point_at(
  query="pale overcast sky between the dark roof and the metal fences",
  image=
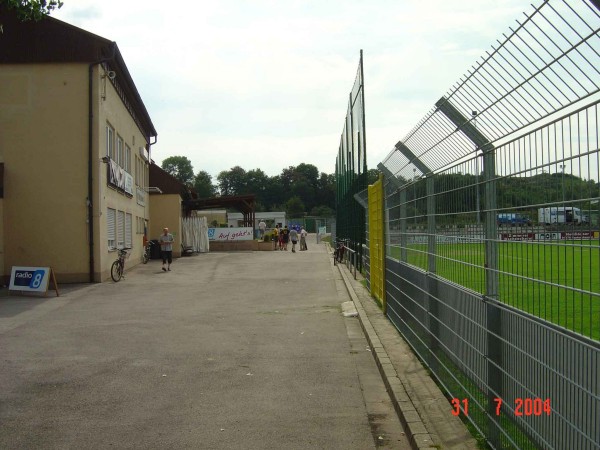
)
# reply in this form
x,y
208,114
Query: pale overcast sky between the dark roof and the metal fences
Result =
x,y
265,84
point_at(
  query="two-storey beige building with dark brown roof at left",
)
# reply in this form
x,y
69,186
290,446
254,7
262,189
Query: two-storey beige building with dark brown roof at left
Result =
x,y
75,142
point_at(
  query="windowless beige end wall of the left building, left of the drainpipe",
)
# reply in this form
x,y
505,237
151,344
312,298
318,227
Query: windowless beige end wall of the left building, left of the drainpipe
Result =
x,y
43,123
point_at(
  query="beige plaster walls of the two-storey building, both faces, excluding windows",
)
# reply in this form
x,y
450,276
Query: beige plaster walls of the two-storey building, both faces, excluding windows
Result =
x,y
44,147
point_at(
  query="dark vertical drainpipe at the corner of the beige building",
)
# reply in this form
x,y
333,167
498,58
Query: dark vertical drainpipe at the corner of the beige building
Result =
x,y
91,157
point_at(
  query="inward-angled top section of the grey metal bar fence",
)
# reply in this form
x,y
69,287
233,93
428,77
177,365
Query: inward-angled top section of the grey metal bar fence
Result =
x,y
547,64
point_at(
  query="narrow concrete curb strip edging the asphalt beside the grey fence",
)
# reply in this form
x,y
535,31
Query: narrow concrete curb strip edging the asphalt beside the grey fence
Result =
x,y
403,404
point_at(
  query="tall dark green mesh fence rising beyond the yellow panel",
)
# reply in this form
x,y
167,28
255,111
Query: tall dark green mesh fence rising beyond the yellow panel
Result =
x,y
351,169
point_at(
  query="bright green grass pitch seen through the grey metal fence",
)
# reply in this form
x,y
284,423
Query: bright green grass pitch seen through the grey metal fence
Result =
x,y
558,281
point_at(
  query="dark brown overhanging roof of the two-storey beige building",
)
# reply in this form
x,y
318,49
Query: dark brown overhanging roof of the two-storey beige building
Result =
x,y
53,41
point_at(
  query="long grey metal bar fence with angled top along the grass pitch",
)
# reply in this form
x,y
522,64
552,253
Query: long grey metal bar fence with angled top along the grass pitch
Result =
x,y
492,261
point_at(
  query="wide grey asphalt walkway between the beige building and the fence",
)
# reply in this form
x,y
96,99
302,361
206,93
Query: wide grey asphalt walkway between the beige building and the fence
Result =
x,y
245,350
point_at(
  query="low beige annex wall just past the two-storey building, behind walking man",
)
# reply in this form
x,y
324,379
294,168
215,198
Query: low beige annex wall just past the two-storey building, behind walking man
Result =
x,y
166,212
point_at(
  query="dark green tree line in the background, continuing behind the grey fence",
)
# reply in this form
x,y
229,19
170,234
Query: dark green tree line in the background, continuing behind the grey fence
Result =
x,y
303,190
